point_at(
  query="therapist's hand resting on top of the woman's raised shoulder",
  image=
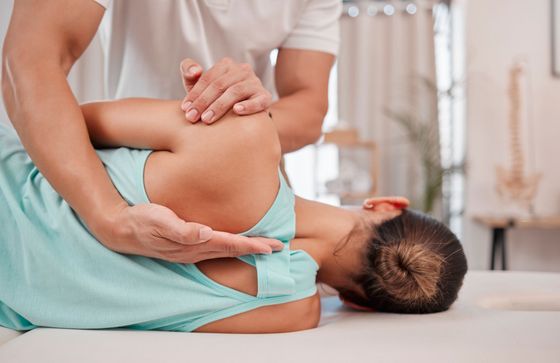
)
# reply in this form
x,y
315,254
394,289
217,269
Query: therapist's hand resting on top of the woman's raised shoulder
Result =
x,y
225,86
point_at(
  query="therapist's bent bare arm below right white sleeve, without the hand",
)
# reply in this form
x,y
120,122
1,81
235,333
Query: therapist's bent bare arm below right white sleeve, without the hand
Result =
x,y
302,80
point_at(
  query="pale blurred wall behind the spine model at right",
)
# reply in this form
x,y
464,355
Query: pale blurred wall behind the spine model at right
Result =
x,y
498,32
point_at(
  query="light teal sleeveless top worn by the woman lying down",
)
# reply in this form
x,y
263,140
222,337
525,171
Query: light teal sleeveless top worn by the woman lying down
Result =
x,y
54,273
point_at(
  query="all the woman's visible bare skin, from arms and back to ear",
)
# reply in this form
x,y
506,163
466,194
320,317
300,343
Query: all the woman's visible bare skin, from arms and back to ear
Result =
x,y
241,155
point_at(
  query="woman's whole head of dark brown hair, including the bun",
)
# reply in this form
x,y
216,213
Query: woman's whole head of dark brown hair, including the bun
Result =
x,y
413,264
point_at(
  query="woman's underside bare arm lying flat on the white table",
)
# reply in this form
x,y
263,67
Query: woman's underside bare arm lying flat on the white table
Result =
x,y
282,318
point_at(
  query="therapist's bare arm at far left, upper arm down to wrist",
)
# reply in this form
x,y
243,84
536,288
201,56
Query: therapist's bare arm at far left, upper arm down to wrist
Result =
x,y
43,41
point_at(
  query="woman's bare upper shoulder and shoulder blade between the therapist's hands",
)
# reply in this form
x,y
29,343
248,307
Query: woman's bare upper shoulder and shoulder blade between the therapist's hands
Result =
x,y
223,175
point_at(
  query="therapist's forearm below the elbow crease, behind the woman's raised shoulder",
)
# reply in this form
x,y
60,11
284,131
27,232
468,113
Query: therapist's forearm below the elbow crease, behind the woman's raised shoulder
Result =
x,y
298,118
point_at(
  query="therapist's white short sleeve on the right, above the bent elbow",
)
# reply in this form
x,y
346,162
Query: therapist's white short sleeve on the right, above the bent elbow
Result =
x,y
318,27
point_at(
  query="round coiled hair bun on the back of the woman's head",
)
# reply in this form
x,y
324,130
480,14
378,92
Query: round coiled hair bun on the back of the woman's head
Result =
x,y
409,271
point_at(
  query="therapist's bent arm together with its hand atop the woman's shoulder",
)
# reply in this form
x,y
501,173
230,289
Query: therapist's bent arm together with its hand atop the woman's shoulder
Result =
x,y
301,78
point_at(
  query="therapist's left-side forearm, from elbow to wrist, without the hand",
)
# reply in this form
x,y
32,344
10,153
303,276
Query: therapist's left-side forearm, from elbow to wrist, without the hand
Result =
x,y
50,124
